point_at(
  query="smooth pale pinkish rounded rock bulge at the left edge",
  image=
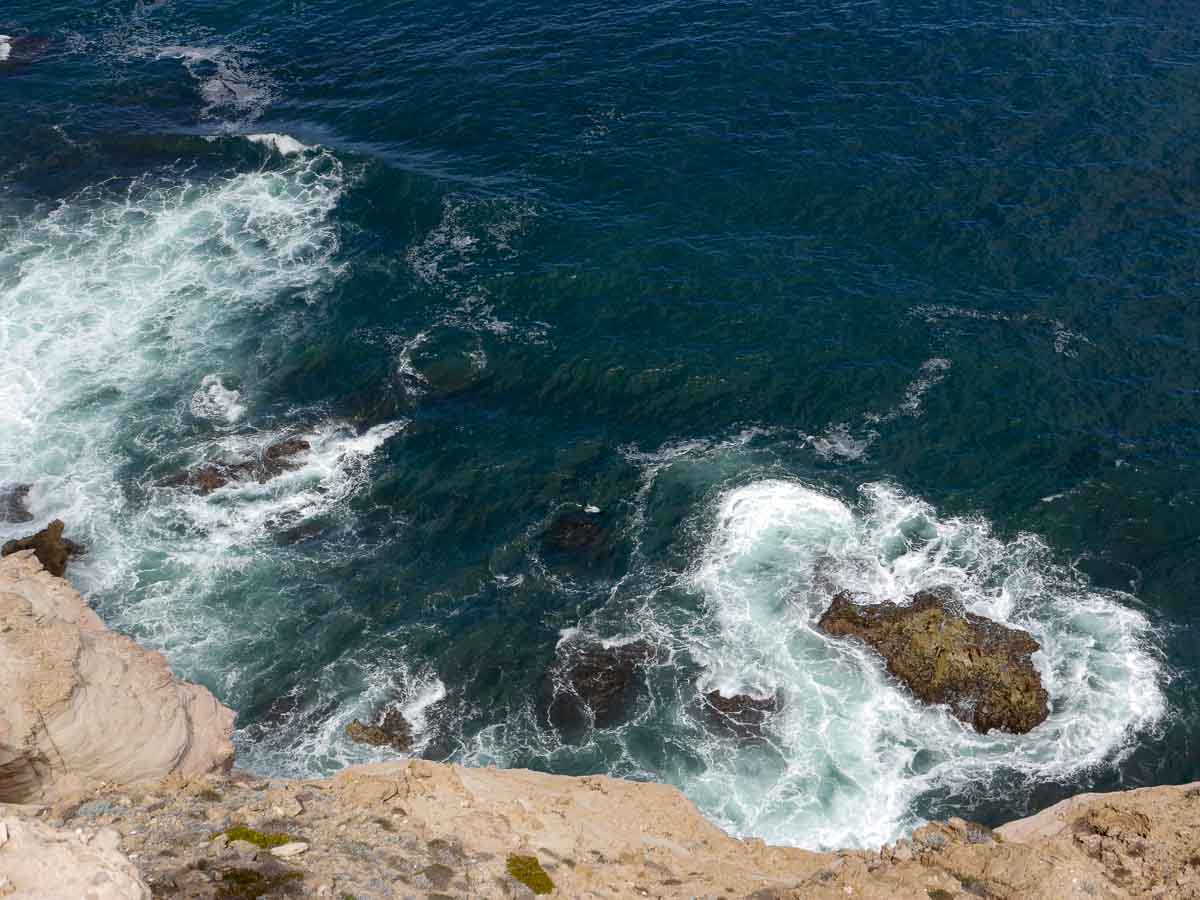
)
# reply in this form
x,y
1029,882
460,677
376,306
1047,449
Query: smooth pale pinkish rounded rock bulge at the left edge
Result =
x,y
85,706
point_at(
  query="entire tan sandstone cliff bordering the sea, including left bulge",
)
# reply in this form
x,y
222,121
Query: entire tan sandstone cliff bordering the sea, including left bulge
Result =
x,y
115,788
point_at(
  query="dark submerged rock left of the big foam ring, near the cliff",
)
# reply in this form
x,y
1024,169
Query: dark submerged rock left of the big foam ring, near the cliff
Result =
x,y
601,680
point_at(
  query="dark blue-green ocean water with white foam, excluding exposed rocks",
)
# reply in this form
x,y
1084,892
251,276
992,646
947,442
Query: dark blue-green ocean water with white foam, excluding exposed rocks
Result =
x,y
773,297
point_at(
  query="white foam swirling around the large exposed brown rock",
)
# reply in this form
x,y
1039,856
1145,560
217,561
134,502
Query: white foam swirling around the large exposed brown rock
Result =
x,y
850,752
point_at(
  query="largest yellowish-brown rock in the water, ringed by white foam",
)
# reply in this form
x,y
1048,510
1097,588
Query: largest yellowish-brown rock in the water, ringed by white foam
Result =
x,y
979,668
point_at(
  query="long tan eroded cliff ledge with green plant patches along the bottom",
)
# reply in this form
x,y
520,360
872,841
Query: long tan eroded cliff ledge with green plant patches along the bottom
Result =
x,y
422,830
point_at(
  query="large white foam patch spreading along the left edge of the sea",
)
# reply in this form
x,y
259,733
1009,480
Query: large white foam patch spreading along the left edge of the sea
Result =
x,y
121,307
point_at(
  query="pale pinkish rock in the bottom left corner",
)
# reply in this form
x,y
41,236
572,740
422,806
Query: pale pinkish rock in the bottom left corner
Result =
x,y
44,863
